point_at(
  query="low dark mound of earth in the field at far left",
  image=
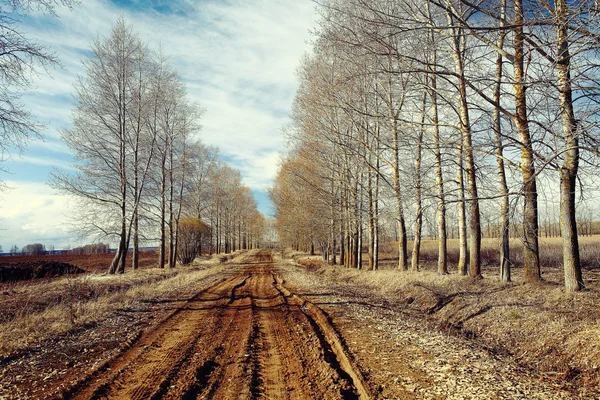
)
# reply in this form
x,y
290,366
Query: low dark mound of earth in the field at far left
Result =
x,y
23,271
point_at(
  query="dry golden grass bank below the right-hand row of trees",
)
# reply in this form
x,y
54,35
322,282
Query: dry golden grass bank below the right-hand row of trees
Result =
x,y
542,327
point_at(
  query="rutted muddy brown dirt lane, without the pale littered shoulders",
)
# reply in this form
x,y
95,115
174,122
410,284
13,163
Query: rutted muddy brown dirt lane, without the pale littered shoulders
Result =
x,y
247,337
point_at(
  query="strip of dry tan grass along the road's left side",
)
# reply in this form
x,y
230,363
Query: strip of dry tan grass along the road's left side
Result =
x,y
34,311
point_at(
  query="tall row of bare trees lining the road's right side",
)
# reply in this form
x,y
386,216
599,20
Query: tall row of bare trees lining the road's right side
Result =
x,y
420,107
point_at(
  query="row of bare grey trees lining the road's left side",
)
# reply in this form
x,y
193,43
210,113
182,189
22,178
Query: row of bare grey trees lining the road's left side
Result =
x,y
140,167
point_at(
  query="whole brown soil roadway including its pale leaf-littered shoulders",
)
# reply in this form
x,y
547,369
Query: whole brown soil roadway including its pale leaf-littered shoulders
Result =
x,y
270,329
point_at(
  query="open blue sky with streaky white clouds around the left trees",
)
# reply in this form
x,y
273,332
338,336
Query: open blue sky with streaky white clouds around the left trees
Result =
x,y
237,58
